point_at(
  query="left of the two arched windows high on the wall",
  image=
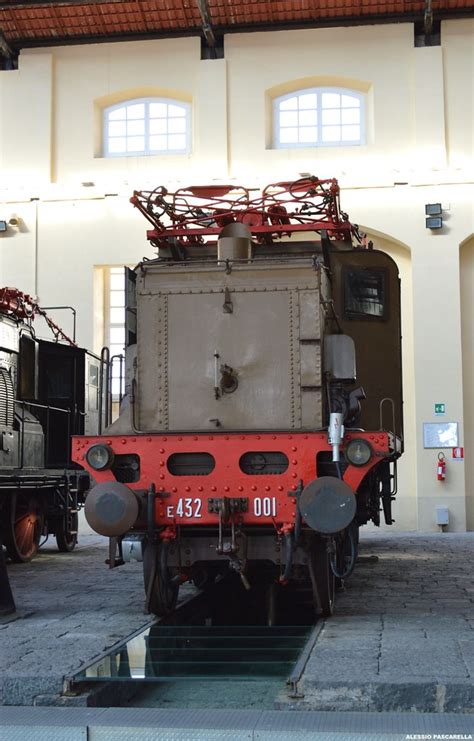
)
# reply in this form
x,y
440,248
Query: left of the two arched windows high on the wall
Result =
x,y
147,126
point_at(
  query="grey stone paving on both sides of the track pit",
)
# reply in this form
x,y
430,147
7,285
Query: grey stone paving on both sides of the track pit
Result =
x,y
402,637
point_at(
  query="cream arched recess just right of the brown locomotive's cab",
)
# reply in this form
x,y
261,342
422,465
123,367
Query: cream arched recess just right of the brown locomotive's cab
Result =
x,y
405,506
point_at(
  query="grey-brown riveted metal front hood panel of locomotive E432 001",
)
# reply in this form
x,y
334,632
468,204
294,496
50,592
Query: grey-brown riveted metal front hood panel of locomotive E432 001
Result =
x,y
263,321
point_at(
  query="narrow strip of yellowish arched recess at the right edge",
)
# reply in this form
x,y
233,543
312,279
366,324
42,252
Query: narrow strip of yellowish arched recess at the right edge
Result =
x,y
466,266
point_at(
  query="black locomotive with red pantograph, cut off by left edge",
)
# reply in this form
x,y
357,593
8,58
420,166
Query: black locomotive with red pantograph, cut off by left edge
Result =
x,y
49,390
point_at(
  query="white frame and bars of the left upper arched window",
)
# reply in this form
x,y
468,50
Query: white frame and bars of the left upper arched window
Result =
x,y
147,152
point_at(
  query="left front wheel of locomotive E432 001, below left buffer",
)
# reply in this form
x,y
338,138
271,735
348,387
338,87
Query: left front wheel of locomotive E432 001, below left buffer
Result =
x,y
161,593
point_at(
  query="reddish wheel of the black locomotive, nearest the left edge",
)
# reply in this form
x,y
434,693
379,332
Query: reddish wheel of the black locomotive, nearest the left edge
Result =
x,y
24,525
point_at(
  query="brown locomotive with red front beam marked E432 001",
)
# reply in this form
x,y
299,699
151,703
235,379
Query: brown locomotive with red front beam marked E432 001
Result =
x,y
262,419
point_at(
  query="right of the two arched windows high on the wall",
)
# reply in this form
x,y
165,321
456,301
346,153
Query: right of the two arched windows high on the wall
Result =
x,y
319,117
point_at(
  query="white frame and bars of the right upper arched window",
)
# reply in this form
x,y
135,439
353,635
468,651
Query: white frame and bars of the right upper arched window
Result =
x,y
318,91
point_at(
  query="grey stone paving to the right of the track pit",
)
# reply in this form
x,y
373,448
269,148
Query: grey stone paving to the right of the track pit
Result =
x,y
402,637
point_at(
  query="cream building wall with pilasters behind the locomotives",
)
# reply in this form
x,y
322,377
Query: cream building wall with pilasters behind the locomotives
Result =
x,y
73,212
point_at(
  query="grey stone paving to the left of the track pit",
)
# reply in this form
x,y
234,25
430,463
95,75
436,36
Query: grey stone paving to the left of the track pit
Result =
x,y
70,608
